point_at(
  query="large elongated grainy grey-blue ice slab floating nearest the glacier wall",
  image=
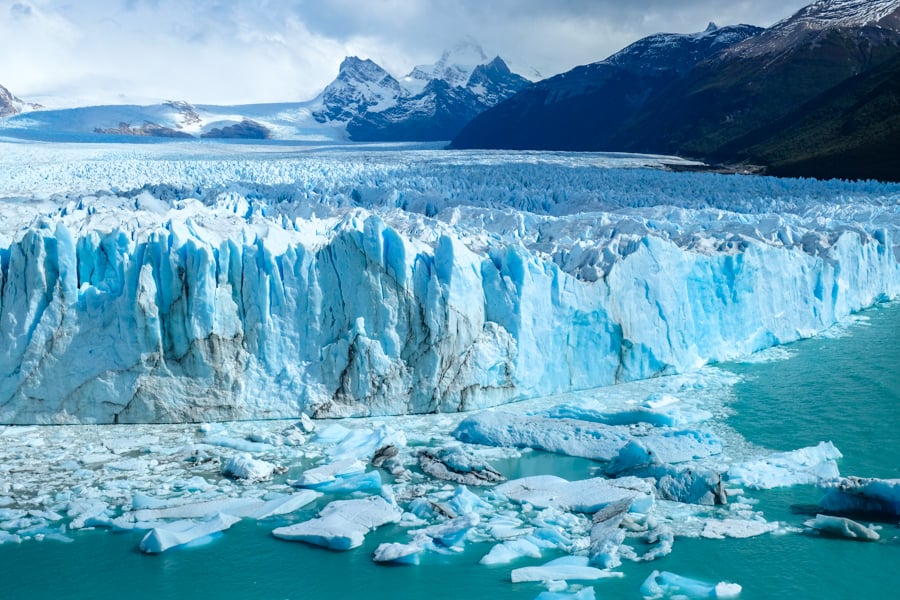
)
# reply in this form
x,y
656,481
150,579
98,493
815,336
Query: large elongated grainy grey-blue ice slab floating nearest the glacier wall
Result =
x,y
562,436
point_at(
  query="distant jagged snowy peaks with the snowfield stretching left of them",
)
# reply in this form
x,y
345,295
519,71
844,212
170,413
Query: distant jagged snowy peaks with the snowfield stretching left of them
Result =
x,y
363,103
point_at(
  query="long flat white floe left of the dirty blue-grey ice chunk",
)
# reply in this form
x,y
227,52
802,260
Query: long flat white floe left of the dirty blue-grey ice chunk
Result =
x,y
586,495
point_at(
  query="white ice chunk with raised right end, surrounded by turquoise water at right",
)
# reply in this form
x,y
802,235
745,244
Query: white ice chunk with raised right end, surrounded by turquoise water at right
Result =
x,y
809,465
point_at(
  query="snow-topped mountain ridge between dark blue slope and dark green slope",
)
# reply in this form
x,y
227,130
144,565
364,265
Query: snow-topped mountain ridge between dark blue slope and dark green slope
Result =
x,y
765,78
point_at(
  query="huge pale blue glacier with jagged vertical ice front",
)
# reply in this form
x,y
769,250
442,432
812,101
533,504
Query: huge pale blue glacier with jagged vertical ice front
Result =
x,y
190,283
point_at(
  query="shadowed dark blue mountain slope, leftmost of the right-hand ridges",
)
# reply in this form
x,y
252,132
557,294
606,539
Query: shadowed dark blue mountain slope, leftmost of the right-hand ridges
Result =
x,y
584,108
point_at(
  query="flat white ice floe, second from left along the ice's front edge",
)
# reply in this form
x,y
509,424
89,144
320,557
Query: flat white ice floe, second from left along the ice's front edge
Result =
x,y
343,524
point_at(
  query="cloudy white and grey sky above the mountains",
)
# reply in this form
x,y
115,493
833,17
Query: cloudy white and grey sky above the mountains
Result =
x,y
241,51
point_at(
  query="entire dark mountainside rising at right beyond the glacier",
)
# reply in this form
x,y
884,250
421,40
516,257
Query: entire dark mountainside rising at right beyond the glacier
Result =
x,y
747,97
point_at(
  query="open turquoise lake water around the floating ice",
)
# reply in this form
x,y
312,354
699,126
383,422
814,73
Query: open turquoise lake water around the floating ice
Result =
x,y
844,389
